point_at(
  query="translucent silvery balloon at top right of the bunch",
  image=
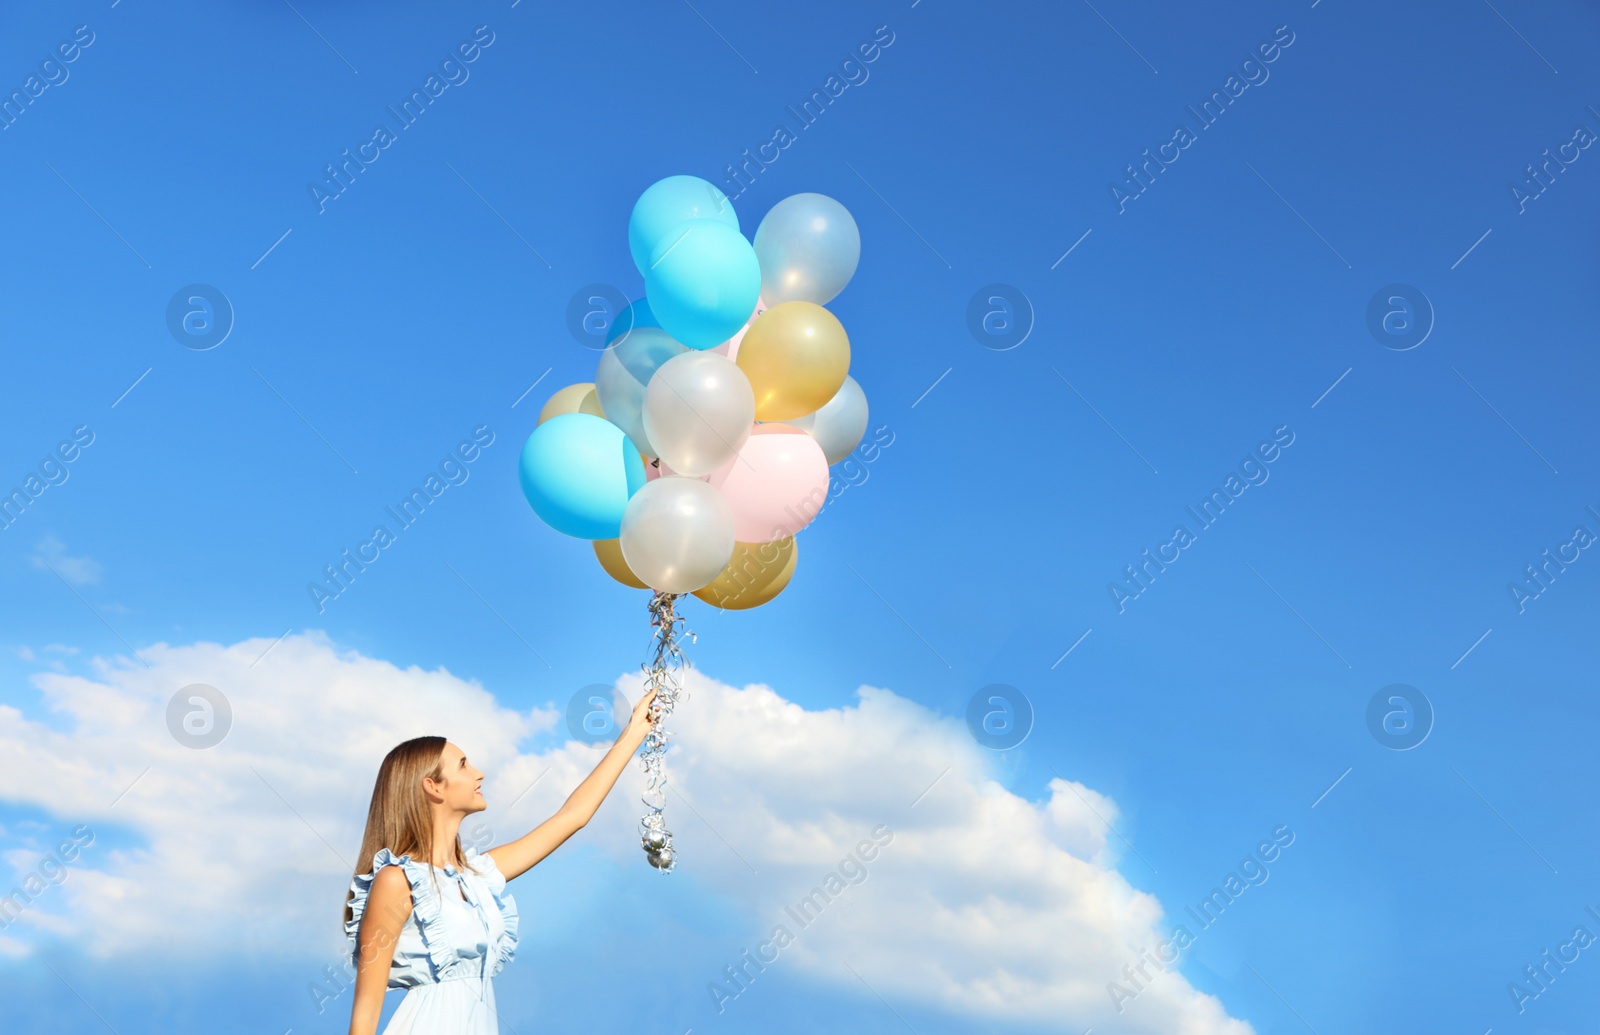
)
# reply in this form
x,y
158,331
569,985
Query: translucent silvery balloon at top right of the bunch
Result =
x,y
809,247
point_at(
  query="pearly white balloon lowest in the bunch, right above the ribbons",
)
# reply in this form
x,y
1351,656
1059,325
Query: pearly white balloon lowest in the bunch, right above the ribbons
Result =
x,y
678,533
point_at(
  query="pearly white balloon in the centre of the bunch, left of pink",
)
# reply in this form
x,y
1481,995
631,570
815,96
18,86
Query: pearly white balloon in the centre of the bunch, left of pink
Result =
x,y
698,412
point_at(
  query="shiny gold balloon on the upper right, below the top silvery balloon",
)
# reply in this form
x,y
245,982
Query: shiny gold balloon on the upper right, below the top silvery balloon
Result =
x,y
796,356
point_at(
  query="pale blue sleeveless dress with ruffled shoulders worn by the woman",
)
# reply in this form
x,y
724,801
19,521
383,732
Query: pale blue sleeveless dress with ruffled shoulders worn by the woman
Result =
x,y
462,932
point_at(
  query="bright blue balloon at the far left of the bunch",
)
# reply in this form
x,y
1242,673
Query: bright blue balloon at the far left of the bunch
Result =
x,y
578,473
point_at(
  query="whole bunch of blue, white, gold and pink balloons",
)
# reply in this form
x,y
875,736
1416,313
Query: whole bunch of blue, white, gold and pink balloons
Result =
x,y
703,444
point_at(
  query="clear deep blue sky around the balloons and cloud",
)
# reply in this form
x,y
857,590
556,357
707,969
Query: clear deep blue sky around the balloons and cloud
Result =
x,y
1172,334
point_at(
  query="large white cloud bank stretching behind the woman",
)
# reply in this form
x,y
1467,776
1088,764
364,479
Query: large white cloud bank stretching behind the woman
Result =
x,y
983,903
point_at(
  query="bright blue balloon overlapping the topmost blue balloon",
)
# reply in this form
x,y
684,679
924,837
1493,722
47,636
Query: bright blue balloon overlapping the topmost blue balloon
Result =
x,y
703,282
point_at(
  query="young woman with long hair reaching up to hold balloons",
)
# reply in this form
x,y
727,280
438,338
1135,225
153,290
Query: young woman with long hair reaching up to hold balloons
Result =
x,y
438,921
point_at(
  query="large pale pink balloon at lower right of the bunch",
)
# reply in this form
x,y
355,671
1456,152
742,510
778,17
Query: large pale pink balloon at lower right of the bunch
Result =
x,y
775,486
